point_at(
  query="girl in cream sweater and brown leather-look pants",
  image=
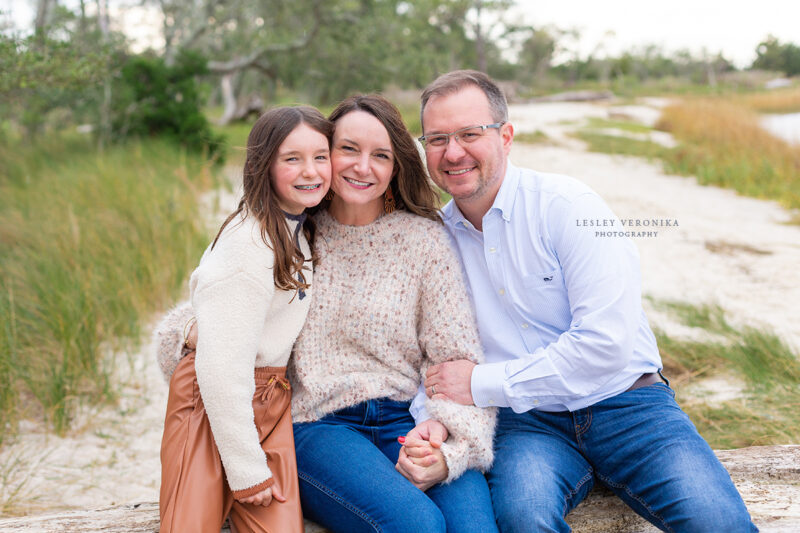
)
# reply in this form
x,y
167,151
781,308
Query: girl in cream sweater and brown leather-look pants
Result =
x,y
229,404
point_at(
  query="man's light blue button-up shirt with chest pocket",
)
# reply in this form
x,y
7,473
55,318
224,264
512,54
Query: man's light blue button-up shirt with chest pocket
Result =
x,y
557,296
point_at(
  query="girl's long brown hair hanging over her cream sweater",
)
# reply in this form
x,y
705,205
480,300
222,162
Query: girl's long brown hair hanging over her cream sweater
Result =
x,y
259,200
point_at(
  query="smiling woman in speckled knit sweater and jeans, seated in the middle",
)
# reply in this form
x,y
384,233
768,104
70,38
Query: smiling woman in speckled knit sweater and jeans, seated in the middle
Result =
x,y
388,303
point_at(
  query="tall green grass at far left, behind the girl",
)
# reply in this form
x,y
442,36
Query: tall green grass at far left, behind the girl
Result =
x,y
91,245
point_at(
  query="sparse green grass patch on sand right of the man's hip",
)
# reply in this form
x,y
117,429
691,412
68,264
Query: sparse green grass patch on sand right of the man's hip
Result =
x,y
767,411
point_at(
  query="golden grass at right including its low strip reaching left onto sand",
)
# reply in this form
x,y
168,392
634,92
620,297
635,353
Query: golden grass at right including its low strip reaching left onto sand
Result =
x,y
720,142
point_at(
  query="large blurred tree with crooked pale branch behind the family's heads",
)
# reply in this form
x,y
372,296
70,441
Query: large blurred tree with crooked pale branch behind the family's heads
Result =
x,y
324,50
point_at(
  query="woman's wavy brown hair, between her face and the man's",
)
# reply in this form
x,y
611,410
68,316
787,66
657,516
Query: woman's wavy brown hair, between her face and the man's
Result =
x,y
410,185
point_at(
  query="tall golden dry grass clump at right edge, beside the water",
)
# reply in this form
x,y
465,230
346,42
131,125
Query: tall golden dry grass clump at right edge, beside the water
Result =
x,y
722,143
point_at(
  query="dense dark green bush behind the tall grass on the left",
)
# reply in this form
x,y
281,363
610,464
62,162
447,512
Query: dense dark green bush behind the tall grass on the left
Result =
x,y
154,99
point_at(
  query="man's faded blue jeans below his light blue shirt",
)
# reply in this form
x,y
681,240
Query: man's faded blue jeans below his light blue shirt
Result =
x,y
639,443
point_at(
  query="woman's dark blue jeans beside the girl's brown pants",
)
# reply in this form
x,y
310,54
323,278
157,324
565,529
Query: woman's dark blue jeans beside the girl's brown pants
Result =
x,y
348,483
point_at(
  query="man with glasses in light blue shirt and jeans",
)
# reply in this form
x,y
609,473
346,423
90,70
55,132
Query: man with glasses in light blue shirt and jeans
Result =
x,y
570,358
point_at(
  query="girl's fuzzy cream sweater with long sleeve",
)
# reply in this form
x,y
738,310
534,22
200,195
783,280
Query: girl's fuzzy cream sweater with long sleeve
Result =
x,y
243,322
